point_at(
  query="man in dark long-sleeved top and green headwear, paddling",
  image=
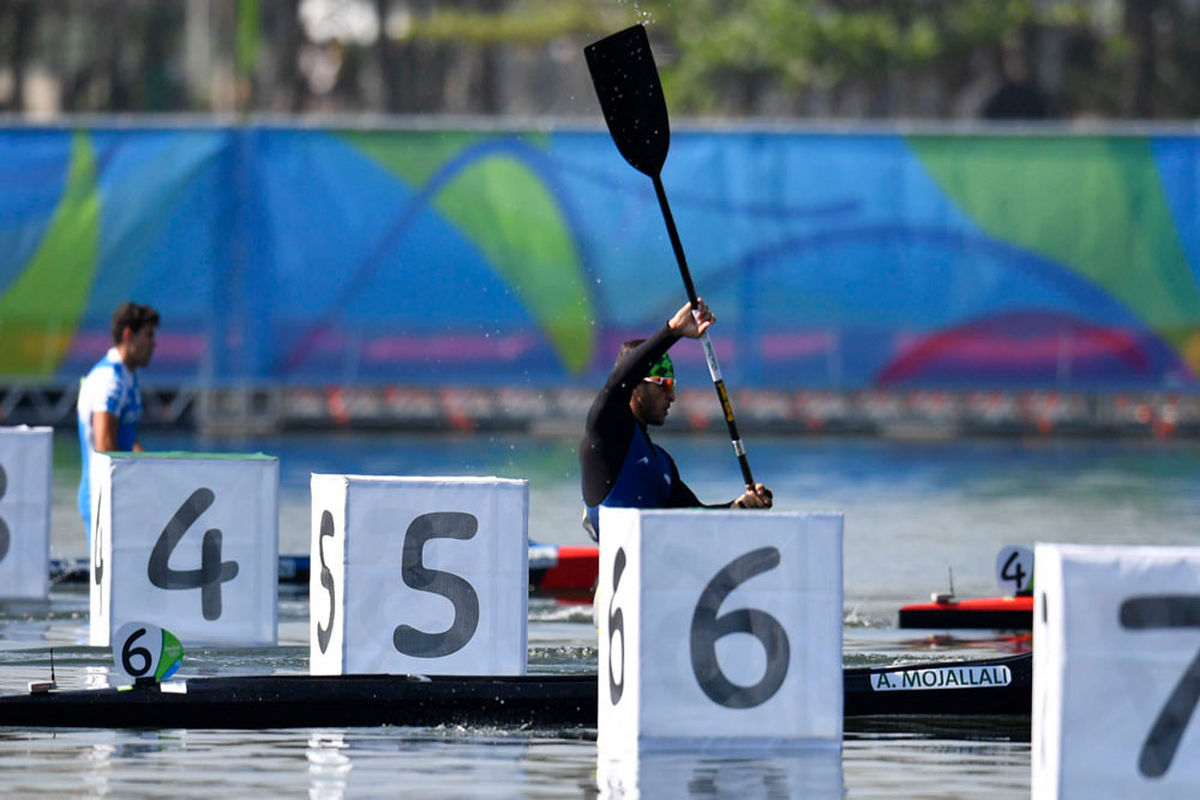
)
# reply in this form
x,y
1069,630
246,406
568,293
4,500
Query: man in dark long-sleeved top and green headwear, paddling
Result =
x,y
621,466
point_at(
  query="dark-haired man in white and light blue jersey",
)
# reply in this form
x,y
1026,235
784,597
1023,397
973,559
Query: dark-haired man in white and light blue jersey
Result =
x,y
110,398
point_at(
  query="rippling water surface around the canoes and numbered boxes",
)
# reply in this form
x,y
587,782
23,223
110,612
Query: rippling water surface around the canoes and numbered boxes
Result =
x,y
914,512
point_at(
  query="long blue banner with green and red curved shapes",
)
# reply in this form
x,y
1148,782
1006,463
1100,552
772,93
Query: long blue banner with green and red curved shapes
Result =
x,y
458,257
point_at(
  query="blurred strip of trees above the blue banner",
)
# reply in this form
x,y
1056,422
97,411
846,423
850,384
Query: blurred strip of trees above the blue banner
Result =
x,y
853,59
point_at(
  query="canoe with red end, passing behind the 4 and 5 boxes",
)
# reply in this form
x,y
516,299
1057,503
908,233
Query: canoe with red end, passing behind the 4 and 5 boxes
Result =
x,y
554,569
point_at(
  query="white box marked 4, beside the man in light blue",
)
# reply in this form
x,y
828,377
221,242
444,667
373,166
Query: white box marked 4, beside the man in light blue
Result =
x,y
188,543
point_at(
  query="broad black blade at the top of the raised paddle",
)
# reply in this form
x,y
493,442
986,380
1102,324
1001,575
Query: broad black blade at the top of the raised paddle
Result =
x,y
632,98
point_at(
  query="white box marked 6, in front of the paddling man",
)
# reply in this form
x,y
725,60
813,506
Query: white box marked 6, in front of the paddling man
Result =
x,y
719,628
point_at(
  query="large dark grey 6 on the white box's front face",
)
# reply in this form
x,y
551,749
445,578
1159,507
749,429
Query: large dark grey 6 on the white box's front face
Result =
x,y
707,628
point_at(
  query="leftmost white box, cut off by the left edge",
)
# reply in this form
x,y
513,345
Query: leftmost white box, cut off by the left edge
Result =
x,y
25,513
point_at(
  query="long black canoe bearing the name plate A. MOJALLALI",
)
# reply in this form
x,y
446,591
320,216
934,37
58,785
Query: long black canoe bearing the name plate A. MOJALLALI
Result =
x,y
979,690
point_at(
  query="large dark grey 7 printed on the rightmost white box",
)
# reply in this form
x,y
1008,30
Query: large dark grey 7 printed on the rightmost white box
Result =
x,y
1154,612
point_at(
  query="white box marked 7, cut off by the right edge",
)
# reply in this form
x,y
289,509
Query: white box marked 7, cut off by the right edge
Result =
x,y
1117,672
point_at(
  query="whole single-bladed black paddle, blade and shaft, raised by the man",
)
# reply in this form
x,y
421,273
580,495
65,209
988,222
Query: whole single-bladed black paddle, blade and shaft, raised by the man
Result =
x,y
627,82
